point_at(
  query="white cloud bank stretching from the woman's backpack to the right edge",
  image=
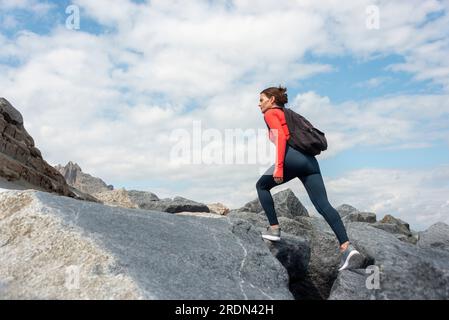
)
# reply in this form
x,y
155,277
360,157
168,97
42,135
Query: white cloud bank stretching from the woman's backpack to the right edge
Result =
x,y
388,121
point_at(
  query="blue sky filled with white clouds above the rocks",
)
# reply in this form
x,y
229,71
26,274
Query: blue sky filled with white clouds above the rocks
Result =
x,y
112,92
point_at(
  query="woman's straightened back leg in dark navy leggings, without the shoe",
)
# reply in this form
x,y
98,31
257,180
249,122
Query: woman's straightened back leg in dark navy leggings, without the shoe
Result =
x,y
316,190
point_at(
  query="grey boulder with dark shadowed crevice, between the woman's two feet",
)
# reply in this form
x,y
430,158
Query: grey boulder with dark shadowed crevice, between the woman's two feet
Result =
x,y
308,250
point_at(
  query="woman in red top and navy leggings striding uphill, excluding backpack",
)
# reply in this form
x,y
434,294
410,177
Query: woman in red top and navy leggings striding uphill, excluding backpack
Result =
x,y
291,163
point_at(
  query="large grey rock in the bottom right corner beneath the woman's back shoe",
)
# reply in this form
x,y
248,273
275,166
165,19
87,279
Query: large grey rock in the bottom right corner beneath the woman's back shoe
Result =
x,y
405,271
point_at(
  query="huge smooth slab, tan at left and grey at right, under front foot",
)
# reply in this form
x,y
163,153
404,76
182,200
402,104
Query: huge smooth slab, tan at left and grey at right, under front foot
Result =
x,y
55,247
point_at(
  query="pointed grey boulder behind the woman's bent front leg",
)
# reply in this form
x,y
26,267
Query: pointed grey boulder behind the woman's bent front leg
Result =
x,y
286,204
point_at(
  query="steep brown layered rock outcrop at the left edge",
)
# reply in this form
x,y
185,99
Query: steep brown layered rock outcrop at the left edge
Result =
x,y
20,160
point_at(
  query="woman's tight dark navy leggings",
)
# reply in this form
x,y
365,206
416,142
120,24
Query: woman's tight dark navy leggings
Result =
x,y
306,168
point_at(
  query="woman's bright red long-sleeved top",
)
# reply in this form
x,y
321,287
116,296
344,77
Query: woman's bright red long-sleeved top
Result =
x,y
279,135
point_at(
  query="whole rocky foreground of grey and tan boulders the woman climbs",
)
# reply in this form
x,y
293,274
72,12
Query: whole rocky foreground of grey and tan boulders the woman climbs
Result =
x,y
147,254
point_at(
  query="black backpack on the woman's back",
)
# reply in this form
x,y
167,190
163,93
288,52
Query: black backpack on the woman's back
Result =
x,y
303,135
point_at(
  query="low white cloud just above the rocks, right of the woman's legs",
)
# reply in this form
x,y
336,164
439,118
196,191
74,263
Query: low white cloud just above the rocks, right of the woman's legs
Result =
x,y
419,197
